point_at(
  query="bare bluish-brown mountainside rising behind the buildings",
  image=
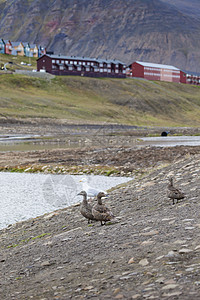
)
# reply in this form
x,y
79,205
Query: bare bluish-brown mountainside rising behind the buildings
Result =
x,y
149,30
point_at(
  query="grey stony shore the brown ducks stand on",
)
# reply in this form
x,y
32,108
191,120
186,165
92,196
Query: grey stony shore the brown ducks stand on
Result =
x,y
150,251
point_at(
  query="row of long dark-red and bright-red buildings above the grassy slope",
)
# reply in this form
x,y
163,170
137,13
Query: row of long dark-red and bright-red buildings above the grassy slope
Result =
x,y
95,67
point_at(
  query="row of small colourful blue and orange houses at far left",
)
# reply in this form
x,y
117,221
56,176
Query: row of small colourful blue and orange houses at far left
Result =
x,y
21,48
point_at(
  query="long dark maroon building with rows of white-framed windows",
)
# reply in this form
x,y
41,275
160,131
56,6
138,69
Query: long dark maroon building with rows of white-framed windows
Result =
x,y
82,66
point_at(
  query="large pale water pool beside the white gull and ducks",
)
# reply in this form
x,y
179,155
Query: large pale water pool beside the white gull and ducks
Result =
x,y
25,196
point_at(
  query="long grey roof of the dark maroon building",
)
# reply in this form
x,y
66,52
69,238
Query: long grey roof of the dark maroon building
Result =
x,y
99,60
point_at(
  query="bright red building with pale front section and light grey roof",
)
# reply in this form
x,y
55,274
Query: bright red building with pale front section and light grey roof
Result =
x,y
151,71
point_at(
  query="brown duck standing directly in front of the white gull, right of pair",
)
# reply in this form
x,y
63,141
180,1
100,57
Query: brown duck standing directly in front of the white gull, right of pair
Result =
x,y
100,211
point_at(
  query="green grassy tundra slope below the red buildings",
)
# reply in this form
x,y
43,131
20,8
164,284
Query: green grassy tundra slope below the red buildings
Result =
x,y
127,101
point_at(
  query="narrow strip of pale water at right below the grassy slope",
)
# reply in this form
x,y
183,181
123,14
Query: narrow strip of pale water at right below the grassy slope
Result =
x,y
171,141
